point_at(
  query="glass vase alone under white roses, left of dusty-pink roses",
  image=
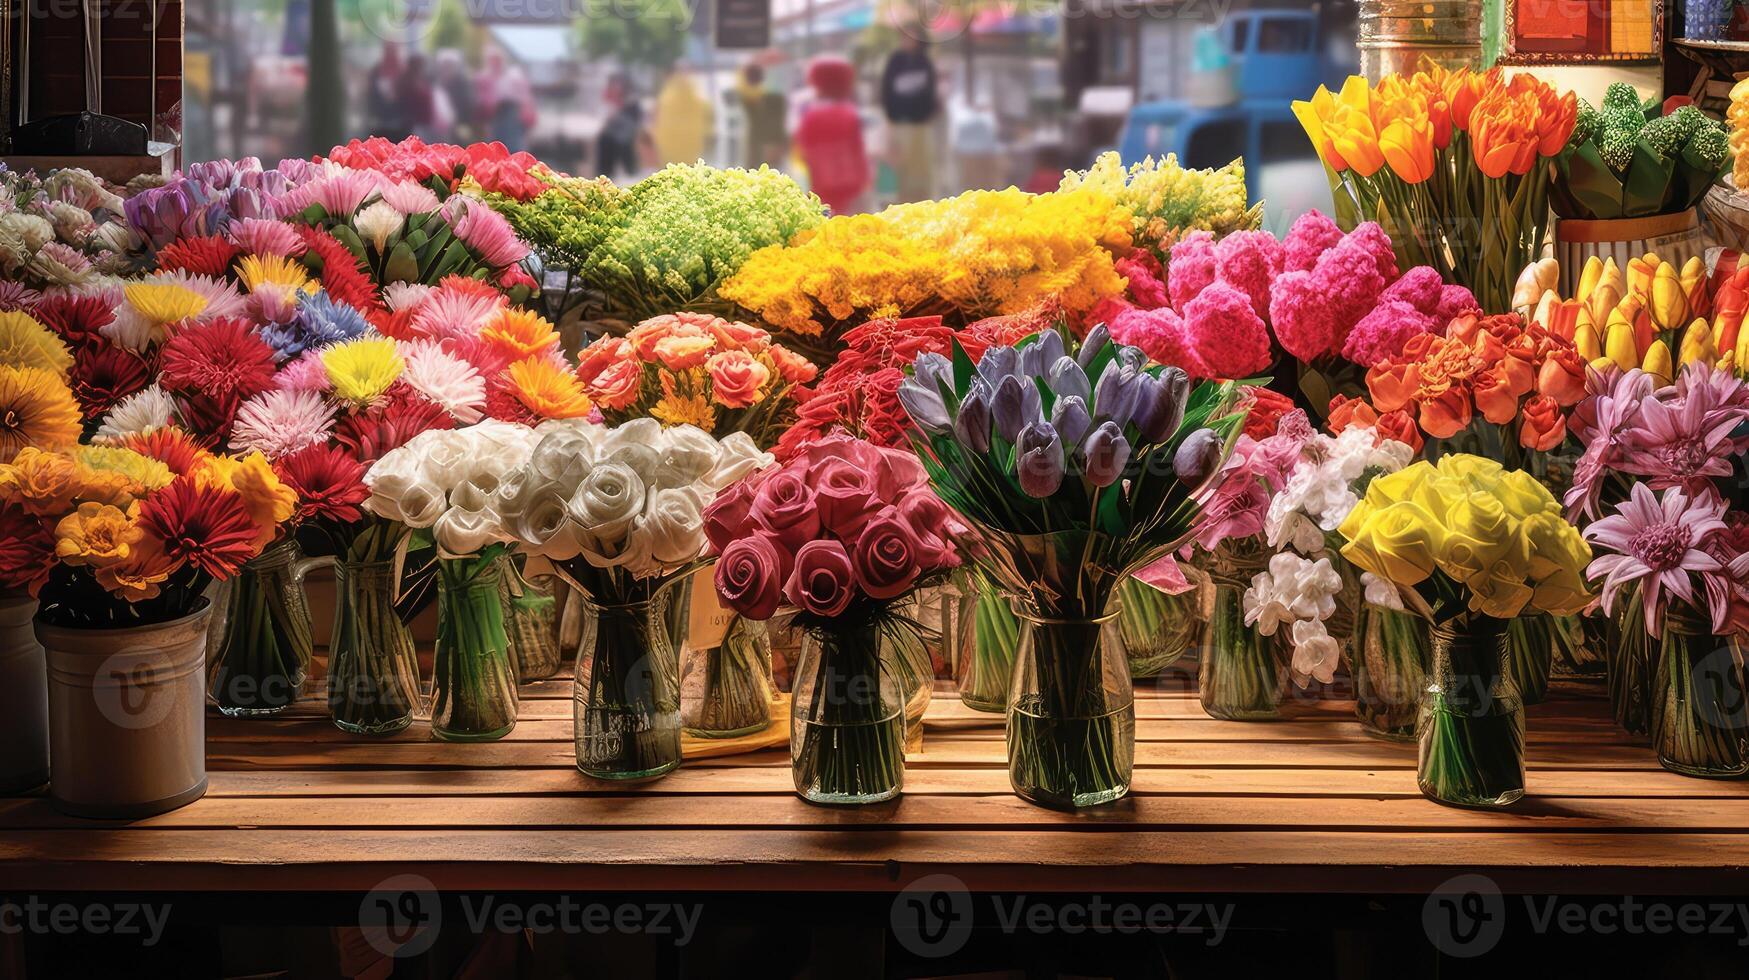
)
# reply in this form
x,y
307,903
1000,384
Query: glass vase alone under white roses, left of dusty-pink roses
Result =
x,y
627,701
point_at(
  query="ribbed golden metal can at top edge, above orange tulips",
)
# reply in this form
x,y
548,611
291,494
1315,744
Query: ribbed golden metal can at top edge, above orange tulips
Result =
x,y
1404,36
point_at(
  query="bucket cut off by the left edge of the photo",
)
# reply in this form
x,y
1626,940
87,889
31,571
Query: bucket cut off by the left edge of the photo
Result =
x,y
24,699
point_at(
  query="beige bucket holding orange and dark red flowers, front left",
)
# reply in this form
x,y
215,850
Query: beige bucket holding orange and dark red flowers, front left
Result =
x,y
127,718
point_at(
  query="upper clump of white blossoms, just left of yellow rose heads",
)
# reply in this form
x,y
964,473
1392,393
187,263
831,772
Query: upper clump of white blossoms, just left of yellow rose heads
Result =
x,y
1321,491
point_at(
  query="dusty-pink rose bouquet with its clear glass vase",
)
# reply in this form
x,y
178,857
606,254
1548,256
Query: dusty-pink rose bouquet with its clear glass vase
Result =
x,y
846,533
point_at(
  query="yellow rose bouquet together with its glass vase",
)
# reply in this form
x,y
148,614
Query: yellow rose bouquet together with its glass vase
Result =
x,y
1468,547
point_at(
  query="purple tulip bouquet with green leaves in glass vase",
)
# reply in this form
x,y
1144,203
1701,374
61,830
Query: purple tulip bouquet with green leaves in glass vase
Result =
x,y
1073,472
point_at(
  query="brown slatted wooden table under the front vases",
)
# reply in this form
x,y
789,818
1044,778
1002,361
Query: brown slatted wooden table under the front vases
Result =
x,y
1309,804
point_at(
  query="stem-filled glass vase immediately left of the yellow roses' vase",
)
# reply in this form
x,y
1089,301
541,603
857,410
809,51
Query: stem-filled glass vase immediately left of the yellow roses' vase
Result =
x,y
1390,673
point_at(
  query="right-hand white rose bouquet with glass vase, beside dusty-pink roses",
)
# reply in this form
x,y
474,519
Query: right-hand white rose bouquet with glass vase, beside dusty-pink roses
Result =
x,y
620,514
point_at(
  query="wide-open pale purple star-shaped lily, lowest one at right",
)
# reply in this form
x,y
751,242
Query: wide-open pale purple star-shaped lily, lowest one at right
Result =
x,y
1659,543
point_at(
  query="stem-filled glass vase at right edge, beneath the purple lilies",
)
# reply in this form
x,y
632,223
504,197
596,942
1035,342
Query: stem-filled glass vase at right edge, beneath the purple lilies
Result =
x,y
1701,706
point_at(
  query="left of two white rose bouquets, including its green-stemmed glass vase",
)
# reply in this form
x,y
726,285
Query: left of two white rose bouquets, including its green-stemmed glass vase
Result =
x,y
456,484
